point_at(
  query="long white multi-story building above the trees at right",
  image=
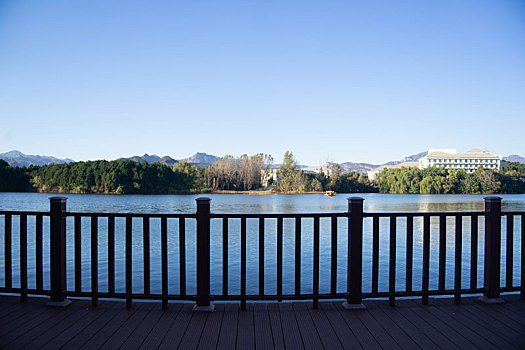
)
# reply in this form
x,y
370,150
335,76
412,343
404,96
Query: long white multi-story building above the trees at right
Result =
x,y
470,161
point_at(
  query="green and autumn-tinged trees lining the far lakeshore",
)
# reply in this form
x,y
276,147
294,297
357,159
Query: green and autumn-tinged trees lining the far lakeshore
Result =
x,y
249,174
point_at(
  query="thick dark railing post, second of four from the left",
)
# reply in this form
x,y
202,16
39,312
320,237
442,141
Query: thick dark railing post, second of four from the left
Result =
x,y
203,256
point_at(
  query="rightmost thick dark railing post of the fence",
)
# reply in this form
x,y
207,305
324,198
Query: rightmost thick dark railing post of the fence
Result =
x,y
491,294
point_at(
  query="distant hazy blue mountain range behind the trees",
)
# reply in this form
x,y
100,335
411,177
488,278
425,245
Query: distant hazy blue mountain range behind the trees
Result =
x,y
202,160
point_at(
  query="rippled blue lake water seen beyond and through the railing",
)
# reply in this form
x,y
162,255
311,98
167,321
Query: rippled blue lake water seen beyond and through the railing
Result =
x,y
238,203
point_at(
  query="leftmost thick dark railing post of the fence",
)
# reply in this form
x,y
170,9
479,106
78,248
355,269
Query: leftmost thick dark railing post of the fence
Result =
x,y
58,251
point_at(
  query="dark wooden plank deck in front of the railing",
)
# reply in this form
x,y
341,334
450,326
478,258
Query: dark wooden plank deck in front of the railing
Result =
x,y
408,325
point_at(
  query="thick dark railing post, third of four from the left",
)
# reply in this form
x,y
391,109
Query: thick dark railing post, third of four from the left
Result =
x,y
355,254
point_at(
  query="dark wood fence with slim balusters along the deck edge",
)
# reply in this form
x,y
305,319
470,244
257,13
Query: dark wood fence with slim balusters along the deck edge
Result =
x,y
203,216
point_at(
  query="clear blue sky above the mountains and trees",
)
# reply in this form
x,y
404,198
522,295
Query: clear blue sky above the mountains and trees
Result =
x,y
339,81
